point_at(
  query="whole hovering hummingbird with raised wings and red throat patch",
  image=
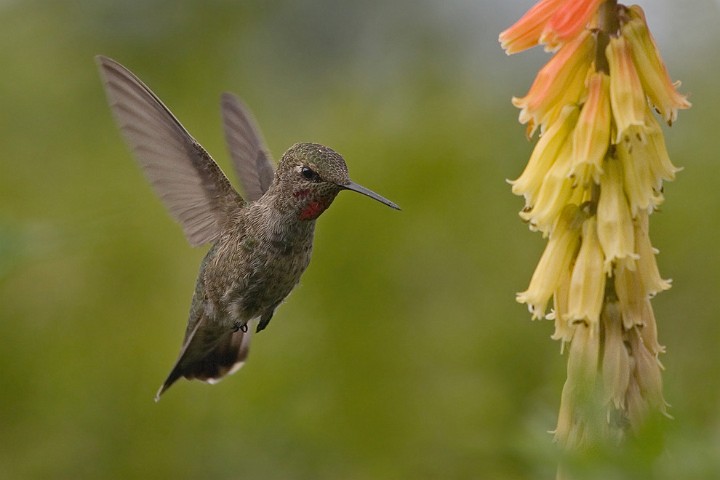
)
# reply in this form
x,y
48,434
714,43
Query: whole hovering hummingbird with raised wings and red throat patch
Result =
x,y
261,244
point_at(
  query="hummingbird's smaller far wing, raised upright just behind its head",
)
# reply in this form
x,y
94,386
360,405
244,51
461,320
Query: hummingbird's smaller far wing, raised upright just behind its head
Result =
x,y
251,159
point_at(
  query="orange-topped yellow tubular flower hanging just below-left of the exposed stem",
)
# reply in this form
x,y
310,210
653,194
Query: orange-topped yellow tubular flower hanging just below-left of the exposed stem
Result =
x,y
592,133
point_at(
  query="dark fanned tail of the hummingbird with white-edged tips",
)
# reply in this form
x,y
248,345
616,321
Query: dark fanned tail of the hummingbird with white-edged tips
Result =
x,y
209,354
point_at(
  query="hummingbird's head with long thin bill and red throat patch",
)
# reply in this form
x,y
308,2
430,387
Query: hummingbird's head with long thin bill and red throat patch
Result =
x,y
311,175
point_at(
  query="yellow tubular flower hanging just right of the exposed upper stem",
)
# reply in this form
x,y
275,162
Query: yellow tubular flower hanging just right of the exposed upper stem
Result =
x,y
626,94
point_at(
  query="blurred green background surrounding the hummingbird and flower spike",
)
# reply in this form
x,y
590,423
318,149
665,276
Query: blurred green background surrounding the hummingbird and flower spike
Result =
x,y
402,354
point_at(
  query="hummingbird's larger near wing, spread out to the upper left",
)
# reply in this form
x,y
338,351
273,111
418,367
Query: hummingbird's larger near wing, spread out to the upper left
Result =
x,y
186,178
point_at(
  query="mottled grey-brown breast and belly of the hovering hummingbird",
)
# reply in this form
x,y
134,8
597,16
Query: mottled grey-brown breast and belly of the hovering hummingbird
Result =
x,y
255,265
